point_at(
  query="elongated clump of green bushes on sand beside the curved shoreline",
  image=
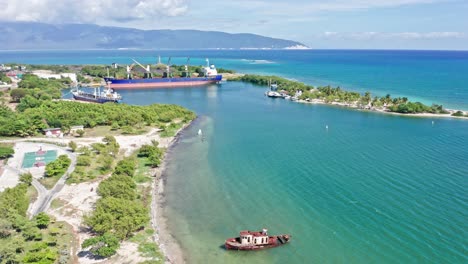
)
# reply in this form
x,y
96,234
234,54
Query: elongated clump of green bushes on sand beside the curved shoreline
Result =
x,y
118,214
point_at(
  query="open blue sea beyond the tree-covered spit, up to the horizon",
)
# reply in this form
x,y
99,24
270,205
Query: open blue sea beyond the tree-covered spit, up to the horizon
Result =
x,y
427,76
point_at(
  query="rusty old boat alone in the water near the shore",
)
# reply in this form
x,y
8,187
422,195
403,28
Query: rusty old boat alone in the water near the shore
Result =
x,y
251,240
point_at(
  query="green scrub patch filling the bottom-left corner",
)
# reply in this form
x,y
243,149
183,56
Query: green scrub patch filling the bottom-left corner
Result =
x,y
39,240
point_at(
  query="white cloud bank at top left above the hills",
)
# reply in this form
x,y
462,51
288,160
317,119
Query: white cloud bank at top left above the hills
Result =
x,y
65,11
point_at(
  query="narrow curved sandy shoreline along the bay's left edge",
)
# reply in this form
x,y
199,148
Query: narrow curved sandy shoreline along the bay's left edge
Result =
x,y
167,243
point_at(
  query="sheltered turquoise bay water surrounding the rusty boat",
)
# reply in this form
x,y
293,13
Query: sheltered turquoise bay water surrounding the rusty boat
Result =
x,y
373,188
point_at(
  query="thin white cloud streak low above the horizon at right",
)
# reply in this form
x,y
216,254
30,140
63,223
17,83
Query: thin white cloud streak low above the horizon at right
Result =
x,y
393,35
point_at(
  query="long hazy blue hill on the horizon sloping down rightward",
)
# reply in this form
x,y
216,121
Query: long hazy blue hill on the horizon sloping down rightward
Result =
x,y
31,35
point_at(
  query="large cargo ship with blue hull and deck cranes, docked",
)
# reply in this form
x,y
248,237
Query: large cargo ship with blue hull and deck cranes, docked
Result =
x,y
210,76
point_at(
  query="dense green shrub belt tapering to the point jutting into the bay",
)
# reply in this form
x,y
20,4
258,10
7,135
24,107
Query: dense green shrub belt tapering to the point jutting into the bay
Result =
x,y
33,112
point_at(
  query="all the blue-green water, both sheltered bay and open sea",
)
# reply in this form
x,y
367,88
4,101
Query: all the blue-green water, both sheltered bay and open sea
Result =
x,y
372,188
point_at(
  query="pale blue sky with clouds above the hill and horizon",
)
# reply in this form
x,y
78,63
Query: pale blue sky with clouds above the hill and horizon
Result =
x,y
375,24
